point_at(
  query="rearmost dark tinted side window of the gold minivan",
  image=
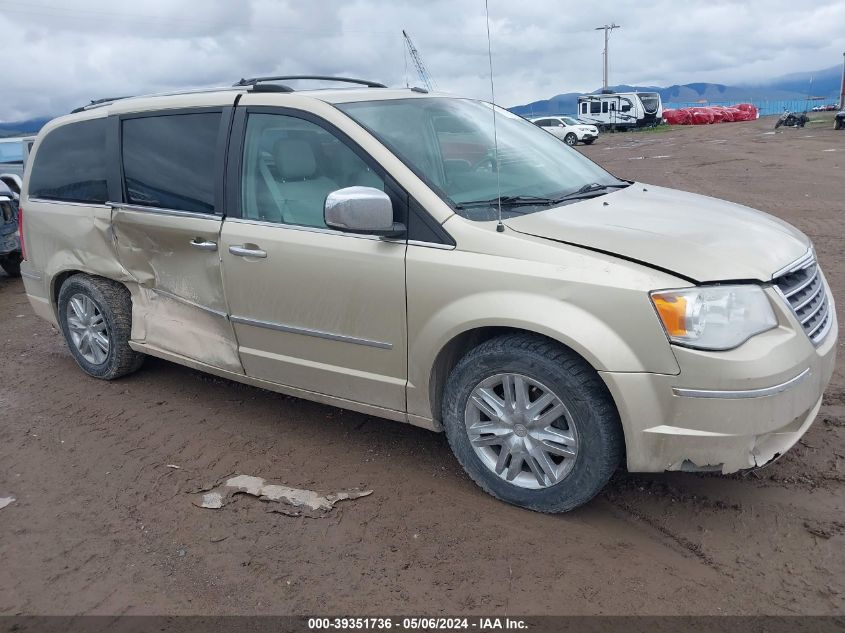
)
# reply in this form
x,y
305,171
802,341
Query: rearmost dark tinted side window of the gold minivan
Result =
x,y
71,164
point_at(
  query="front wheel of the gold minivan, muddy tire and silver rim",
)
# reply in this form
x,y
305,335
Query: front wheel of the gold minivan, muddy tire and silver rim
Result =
x,y
532,423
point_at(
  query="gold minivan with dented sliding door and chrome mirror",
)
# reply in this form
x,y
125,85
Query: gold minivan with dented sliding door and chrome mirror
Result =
x,y
432,260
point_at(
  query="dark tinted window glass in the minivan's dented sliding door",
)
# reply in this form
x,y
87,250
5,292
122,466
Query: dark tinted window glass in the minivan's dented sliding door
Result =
x,y
169,161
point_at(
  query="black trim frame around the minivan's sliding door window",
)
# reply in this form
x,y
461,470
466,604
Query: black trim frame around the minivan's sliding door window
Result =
x,y
117,182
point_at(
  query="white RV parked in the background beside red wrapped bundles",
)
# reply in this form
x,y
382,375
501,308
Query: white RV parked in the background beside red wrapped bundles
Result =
x,y
621,110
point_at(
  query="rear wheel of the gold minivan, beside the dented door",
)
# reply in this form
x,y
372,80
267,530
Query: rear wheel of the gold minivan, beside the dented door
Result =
x,y
95,315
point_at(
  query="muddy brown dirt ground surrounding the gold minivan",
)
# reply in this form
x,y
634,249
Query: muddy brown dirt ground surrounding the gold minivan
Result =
x,y
102,525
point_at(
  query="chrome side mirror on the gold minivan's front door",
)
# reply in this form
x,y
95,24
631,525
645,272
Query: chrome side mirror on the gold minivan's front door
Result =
x,y
362,210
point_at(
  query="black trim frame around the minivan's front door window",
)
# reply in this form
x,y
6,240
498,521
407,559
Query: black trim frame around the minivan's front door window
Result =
x,y
234,163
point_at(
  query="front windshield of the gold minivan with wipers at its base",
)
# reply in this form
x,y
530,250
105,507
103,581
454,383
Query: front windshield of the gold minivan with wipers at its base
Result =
x,y
449,144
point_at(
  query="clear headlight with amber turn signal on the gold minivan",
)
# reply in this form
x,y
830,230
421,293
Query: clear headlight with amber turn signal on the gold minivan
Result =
x,y
714,317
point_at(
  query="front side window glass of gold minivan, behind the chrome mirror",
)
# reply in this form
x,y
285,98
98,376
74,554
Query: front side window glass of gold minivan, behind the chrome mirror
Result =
x,y
290,165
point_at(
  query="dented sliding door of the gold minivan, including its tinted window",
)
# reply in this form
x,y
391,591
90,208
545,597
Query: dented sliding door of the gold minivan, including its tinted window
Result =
x,y
166,236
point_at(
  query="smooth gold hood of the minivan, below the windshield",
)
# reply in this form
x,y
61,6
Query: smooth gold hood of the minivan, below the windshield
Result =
x,y
697,237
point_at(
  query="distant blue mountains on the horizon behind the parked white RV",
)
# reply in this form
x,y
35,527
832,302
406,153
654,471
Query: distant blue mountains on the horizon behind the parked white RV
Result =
x,y
795,87
